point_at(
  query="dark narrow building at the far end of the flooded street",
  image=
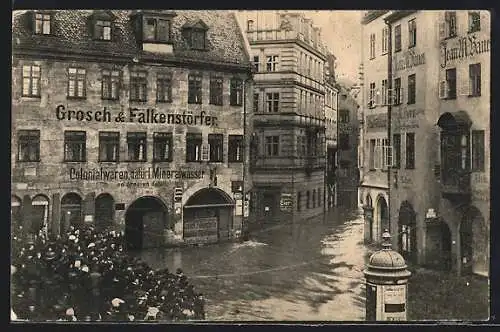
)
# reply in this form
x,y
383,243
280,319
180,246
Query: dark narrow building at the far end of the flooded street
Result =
x,y
347,155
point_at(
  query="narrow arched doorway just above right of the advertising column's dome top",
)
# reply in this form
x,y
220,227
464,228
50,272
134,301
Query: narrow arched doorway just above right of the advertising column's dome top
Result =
x,y
407,223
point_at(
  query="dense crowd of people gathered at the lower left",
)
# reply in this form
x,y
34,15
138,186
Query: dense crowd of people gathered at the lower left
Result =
x,y
85,275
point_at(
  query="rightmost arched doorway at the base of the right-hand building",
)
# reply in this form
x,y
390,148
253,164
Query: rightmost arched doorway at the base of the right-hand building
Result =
x,y
474,243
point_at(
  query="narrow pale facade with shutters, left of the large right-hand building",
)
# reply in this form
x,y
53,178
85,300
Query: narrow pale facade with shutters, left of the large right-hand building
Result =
x,y
374,188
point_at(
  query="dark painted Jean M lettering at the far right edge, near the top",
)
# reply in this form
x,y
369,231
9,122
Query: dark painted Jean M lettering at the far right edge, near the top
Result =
x,y
463,47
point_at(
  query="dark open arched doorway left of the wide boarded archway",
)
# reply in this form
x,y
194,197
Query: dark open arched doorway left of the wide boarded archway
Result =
x,y
145,222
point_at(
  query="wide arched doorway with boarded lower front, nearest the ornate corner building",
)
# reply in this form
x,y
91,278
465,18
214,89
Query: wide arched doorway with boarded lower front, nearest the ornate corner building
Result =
x,y
208,216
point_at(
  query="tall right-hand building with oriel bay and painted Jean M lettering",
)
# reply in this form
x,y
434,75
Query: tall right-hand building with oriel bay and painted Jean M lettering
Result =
x,y
439,114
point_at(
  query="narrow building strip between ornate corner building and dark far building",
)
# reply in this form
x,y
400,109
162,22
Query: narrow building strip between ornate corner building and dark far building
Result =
x,y
331,133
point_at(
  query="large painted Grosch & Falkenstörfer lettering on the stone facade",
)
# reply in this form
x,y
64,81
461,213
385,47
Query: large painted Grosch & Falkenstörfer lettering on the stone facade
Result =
x,y
136,115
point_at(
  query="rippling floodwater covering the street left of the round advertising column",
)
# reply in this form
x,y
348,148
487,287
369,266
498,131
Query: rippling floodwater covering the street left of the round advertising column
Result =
x,y
312,270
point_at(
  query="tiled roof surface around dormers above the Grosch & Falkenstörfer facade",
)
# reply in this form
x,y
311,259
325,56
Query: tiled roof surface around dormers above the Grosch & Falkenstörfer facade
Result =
x,y
71,34
